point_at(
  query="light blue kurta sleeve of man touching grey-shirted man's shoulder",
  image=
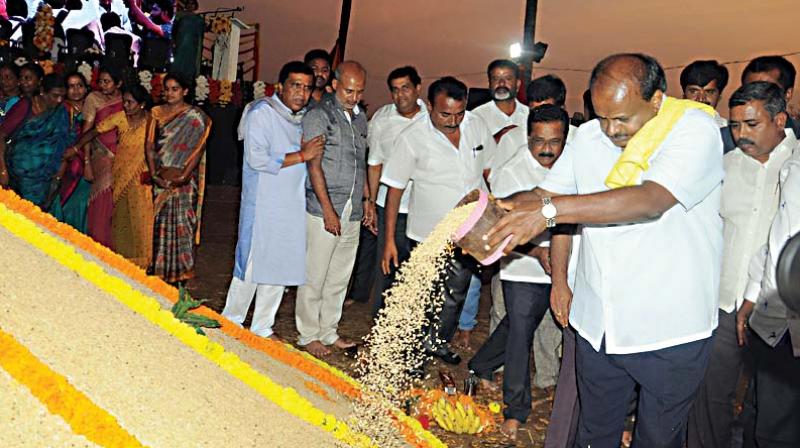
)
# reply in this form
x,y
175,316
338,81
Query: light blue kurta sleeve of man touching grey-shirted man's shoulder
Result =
x,y
259,151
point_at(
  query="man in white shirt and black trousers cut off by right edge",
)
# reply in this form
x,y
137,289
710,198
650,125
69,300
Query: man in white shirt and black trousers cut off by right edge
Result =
x,y
774,336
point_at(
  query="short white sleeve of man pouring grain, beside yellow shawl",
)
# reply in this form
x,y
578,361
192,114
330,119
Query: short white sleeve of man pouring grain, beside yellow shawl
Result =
x,y
689,164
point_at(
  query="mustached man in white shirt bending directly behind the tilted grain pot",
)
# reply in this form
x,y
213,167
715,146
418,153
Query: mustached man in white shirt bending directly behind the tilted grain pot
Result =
x,y
525,273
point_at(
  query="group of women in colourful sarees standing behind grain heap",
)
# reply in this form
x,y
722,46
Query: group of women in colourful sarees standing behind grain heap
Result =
x,y
129,175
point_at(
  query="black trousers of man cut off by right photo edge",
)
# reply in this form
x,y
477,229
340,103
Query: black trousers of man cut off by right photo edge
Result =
x,y
777,393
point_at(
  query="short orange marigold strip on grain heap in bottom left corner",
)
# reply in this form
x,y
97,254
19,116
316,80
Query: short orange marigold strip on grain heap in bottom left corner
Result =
x,y
62,398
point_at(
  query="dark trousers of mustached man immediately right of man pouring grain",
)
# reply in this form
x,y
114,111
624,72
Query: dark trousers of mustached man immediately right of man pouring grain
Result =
x,y
711,417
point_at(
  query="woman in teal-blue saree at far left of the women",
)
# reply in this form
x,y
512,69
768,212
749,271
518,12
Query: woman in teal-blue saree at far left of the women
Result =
x,y
39,131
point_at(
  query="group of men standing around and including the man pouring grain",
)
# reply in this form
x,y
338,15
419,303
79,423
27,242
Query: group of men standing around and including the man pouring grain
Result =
x,y
641,244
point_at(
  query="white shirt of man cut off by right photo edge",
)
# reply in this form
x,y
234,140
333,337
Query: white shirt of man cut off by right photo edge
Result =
x,y
770,322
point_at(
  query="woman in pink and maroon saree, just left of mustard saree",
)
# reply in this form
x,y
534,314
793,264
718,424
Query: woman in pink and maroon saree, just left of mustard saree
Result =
x,y
100,105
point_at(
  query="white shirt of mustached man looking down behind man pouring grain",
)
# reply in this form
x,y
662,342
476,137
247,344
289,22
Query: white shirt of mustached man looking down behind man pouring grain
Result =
x,y
750,196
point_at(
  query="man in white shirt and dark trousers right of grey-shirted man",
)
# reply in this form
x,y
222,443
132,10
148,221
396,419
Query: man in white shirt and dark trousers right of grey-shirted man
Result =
x,y
385,126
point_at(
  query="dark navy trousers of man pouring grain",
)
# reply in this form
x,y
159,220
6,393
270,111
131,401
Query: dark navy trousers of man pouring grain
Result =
x,y
669,380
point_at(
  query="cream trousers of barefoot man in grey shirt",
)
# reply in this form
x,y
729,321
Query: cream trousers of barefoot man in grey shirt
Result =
x,y
329,263
